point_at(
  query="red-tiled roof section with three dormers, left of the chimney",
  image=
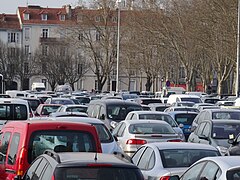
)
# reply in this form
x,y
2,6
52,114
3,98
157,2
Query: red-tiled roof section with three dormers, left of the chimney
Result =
x,y
35,13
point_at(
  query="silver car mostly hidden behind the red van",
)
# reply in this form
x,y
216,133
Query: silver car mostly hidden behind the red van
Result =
x,y
108,143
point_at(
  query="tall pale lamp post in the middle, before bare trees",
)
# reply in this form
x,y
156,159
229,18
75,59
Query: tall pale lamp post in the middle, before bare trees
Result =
x,y
118,44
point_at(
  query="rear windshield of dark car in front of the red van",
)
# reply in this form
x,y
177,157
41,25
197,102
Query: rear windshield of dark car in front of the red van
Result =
x,y
97,173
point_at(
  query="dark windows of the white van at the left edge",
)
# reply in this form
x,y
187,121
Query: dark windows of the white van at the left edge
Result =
x,y
13,112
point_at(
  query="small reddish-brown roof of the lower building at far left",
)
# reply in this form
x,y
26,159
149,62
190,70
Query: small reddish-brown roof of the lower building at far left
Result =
x,y
9,21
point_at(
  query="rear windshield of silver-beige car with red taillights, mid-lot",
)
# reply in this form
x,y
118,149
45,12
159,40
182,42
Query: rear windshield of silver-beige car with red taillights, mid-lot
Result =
x,y
151,128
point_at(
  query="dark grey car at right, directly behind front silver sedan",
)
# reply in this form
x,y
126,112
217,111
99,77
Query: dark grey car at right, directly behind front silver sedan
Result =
x,y
216,133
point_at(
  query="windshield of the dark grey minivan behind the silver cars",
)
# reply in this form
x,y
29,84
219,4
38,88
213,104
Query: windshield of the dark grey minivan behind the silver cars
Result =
x,y
119,112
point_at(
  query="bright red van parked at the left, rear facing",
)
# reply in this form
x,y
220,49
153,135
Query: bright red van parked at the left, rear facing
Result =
x,y
23,141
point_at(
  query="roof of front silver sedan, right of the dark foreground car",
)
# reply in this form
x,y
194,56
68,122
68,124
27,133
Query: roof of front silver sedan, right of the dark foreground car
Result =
x,y
180,145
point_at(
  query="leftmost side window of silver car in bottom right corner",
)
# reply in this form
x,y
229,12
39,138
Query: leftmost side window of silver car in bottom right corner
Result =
x,y
193,172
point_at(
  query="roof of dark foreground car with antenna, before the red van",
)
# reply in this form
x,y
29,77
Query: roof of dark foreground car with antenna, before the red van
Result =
x,y
82,158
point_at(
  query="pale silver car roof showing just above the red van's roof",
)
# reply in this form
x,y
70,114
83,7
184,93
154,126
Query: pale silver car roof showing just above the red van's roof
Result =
x,y
79,119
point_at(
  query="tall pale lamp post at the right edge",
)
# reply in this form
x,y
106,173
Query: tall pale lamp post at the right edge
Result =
x,y
238,52
